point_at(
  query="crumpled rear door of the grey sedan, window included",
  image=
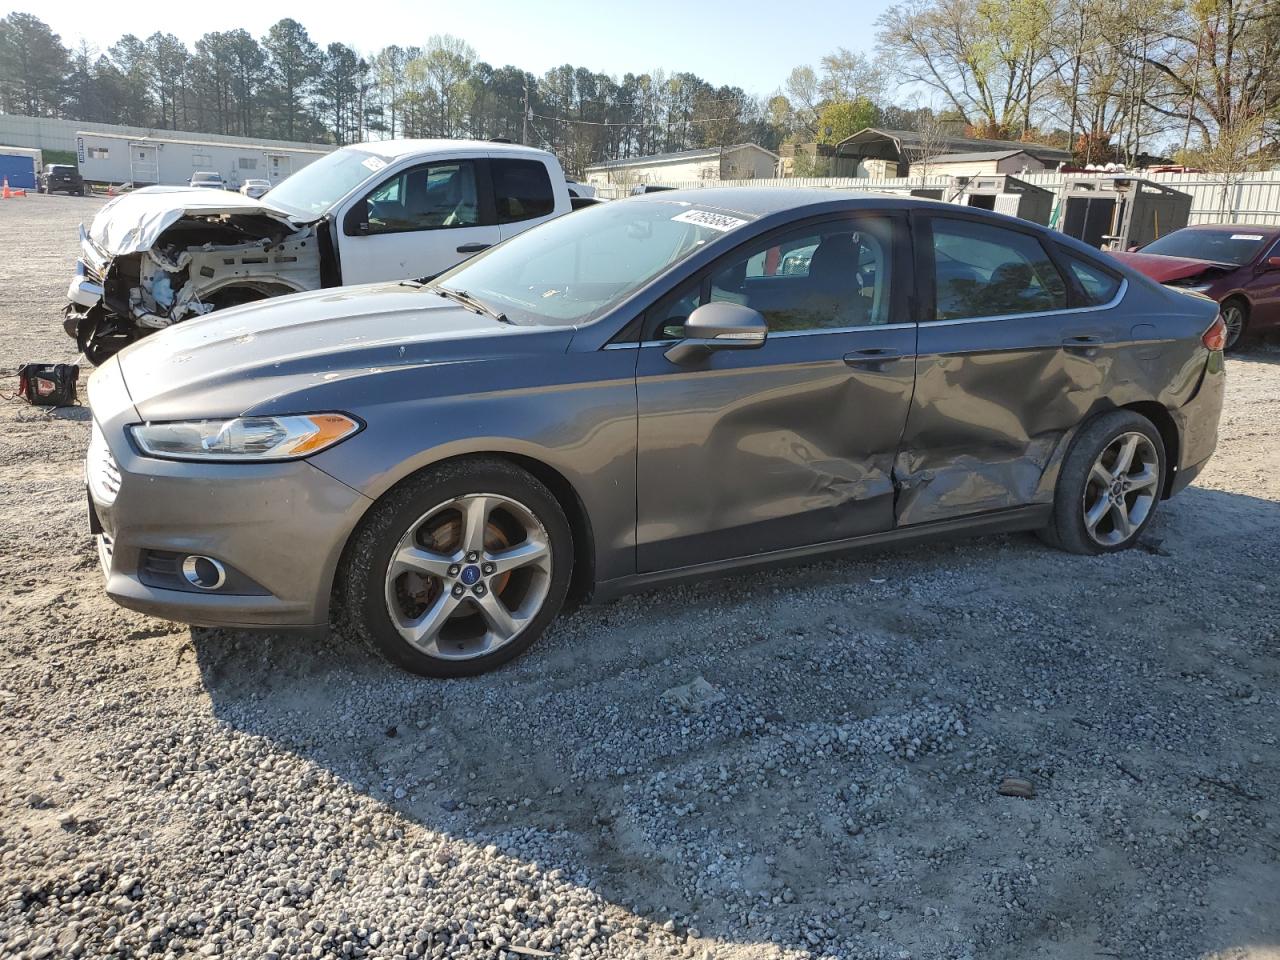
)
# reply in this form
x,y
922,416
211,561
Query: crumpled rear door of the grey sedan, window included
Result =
x,y
1011,360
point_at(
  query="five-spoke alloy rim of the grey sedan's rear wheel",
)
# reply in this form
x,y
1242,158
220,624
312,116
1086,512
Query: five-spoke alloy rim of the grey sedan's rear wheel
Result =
x,y
1122,490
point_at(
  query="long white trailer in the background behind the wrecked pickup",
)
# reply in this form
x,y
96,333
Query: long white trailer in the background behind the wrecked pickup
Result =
x,y
116,158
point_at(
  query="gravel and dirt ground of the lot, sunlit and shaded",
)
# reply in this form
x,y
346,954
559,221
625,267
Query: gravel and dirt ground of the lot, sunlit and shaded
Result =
x,y
833,794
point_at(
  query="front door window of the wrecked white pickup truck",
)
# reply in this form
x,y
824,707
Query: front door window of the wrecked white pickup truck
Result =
x,y
431,198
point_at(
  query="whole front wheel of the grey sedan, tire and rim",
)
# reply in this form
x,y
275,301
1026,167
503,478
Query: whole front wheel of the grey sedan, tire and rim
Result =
x,y
459,570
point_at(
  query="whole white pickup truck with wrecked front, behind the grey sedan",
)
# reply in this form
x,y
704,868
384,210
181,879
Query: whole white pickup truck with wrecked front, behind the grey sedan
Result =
x,y
372,212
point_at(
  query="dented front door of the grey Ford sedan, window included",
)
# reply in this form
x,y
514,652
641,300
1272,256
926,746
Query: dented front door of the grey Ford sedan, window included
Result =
x,y
793,444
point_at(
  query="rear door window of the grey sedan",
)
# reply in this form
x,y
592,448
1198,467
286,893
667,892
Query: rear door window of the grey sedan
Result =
x,y
984,271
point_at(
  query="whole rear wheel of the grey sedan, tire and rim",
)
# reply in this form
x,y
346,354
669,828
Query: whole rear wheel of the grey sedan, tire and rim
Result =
x,y
1110,484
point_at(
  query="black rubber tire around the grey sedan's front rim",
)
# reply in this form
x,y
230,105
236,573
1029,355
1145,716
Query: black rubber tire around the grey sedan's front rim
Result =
x,y
363,582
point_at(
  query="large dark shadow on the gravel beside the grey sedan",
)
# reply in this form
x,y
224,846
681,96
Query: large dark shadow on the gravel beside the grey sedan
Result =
x,y
831,787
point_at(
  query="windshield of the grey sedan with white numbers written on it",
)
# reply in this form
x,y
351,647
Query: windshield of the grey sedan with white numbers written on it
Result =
x,y
578,267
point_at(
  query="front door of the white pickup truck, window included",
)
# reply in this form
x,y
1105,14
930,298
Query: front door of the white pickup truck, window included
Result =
x,y
419,222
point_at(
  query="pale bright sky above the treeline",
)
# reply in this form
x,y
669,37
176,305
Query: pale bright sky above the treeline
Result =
x,y
749,44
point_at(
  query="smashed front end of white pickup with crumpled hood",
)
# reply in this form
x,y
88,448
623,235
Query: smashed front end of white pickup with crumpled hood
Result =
x,y
157,258
